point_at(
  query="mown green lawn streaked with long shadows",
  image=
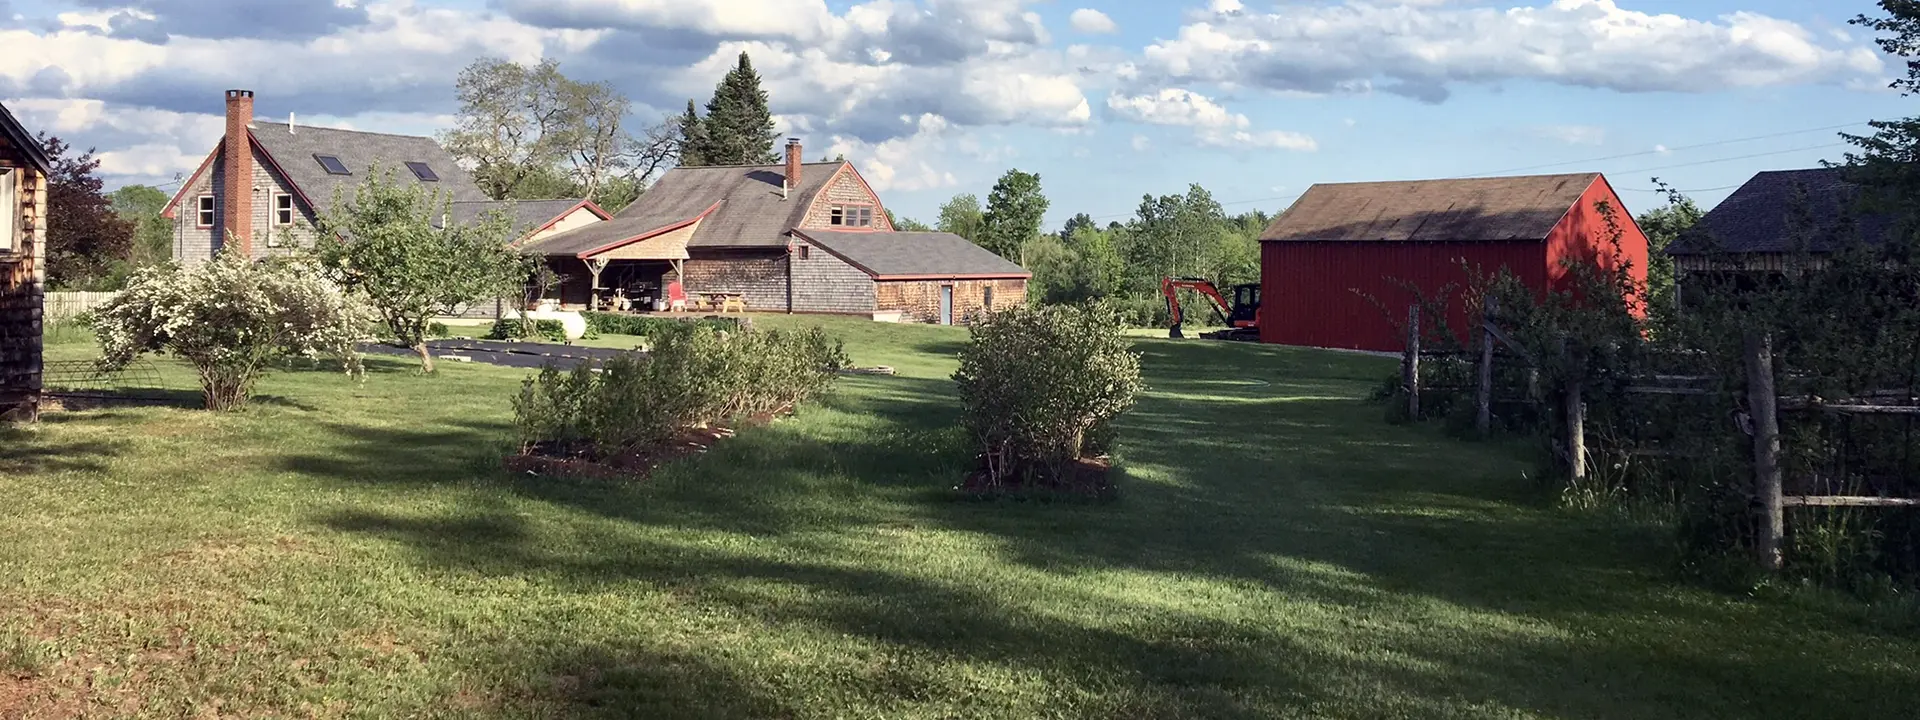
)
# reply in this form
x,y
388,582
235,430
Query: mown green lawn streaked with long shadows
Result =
x,y
352,550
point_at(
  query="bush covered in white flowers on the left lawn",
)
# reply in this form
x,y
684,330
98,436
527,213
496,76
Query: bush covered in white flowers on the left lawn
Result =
x,y
231,320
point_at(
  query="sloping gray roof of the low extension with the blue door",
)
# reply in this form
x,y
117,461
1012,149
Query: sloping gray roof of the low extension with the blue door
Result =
x,y
913,254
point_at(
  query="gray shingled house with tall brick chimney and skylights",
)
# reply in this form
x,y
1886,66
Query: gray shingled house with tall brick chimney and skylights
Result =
x,y
299,172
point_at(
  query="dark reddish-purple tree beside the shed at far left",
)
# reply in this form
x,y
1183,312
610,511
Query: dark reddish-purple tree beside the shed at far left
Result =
x,y
87,243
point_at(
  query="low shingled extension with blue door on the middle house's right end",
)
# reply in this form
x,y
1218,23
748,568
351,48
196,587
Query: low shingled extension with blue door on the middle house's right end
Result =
x,y
924,277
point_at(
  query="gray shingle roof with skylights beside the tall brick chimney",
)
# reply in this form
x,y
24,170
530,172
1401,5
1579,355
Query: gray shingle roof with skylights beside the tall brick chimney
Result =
x,y
295,149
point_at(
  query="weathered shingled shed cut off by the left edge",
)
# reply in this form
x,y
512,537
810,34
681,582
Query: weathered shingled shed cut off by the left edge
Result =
x,y
24,172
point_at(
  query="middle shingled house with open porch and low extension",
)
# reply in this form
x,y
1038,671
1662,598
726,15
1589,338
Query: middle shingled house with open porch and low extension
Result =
x,y
788,239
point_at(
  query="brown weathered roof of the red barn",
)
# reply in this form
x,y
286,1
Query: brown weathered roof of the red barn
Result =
x,y
1497,208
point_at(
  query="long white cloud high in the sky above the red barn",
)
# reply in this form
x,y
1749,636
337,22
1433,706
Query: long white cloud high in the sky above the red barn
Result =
x,y
1422,51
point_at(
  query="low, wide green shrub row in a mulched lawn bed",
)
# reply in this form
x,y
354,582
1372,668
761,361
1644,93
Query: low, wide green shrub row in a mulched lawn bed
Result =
x,y
692,377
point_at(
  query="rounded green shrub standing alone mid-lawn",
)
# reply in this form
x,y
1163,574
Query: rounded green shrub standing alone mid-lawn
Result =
x,y
1042,387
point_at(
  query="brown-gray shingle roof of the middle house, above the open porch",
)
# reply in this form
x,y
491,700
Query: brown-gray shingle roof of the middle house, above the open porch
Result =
x,y
752,212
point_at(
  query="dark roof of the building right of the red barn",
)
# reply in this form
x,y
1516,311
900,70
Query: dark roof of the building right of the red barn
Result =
x,y
1783,212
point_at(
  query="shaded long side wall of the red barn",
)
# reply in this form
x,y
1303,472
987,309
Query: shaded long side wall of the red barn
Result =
x,y
1318,293
